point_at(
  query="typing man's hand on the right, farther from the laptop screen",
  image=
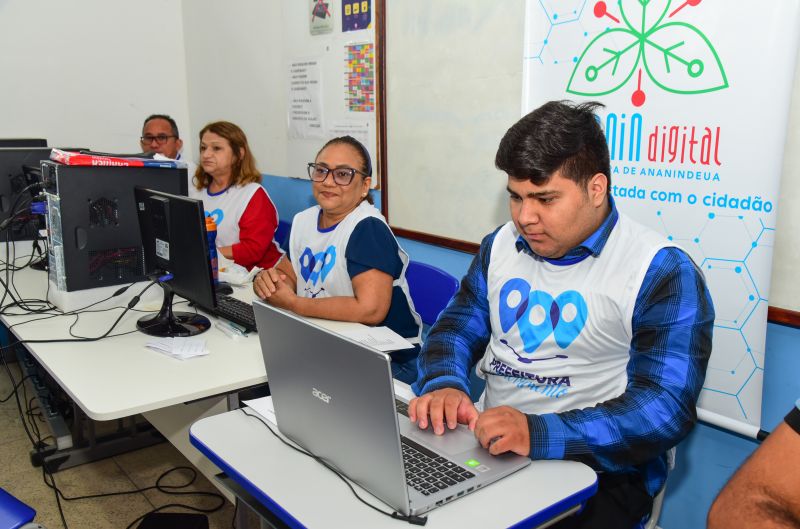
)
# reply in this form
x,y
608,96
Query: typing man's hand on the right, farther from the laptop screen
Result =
x,y
504,429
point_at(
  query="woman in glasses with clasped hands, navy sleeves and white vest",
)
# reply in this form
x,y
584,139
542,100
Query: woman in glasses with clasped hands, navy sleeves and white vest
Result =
x,y
344,263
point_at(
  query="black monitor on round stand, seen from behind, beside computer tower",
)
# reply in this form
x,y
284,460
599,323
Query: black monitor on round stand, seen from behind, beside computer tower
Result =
x,y
175,244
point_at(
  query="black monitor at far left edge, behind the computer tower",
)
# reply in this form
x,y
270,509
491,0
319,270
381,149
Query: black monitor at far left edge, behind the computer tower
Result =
x,y
13,181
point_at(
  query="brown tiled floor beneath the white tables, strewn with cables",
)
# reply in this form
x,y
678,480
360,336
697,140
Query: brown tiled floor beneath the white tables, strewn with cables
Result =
x,y
137,469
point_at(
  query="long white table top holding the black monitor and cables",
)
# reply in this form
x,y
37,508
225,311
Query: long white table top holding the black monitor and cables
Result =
x,y
118,377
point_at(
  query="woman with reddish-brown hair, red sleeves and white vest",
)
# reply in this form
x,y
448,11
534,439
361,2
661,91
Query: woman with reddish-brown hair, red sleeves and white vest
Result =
x,y
229,185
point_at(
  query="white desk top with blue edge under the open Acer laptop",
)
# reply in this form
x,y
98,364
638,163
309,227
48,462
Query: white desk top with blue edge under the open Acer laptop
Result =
x,y
288,482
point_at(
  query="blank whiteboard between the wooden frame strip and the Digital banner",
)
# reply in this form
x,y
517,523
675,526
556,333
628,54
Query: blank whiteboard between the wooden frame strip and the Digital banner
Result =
x,y
451,93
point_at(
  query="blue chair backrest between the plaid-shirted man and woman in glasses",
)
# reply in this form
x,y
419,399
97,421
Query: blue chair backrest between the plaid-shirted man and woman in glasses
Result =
x,y
431,289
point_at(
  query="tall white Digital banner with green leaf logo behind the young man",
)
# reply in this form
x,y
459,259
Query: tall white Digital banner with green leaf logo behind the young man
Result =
x,y
697,97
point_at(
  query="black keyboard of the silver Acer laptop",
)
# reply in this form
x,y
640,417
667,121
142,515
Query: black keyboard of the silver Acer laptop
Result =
x,y
428,472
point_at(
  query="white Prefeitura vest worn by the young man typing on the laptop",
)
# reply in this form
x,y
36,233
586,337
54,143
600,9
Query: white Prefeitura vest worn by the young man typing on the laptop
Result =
x,y
561,334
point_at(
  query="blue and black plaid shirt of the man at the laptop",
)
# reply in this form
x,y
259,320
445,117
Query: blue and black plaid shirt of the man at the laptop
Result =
x,y
672,327
